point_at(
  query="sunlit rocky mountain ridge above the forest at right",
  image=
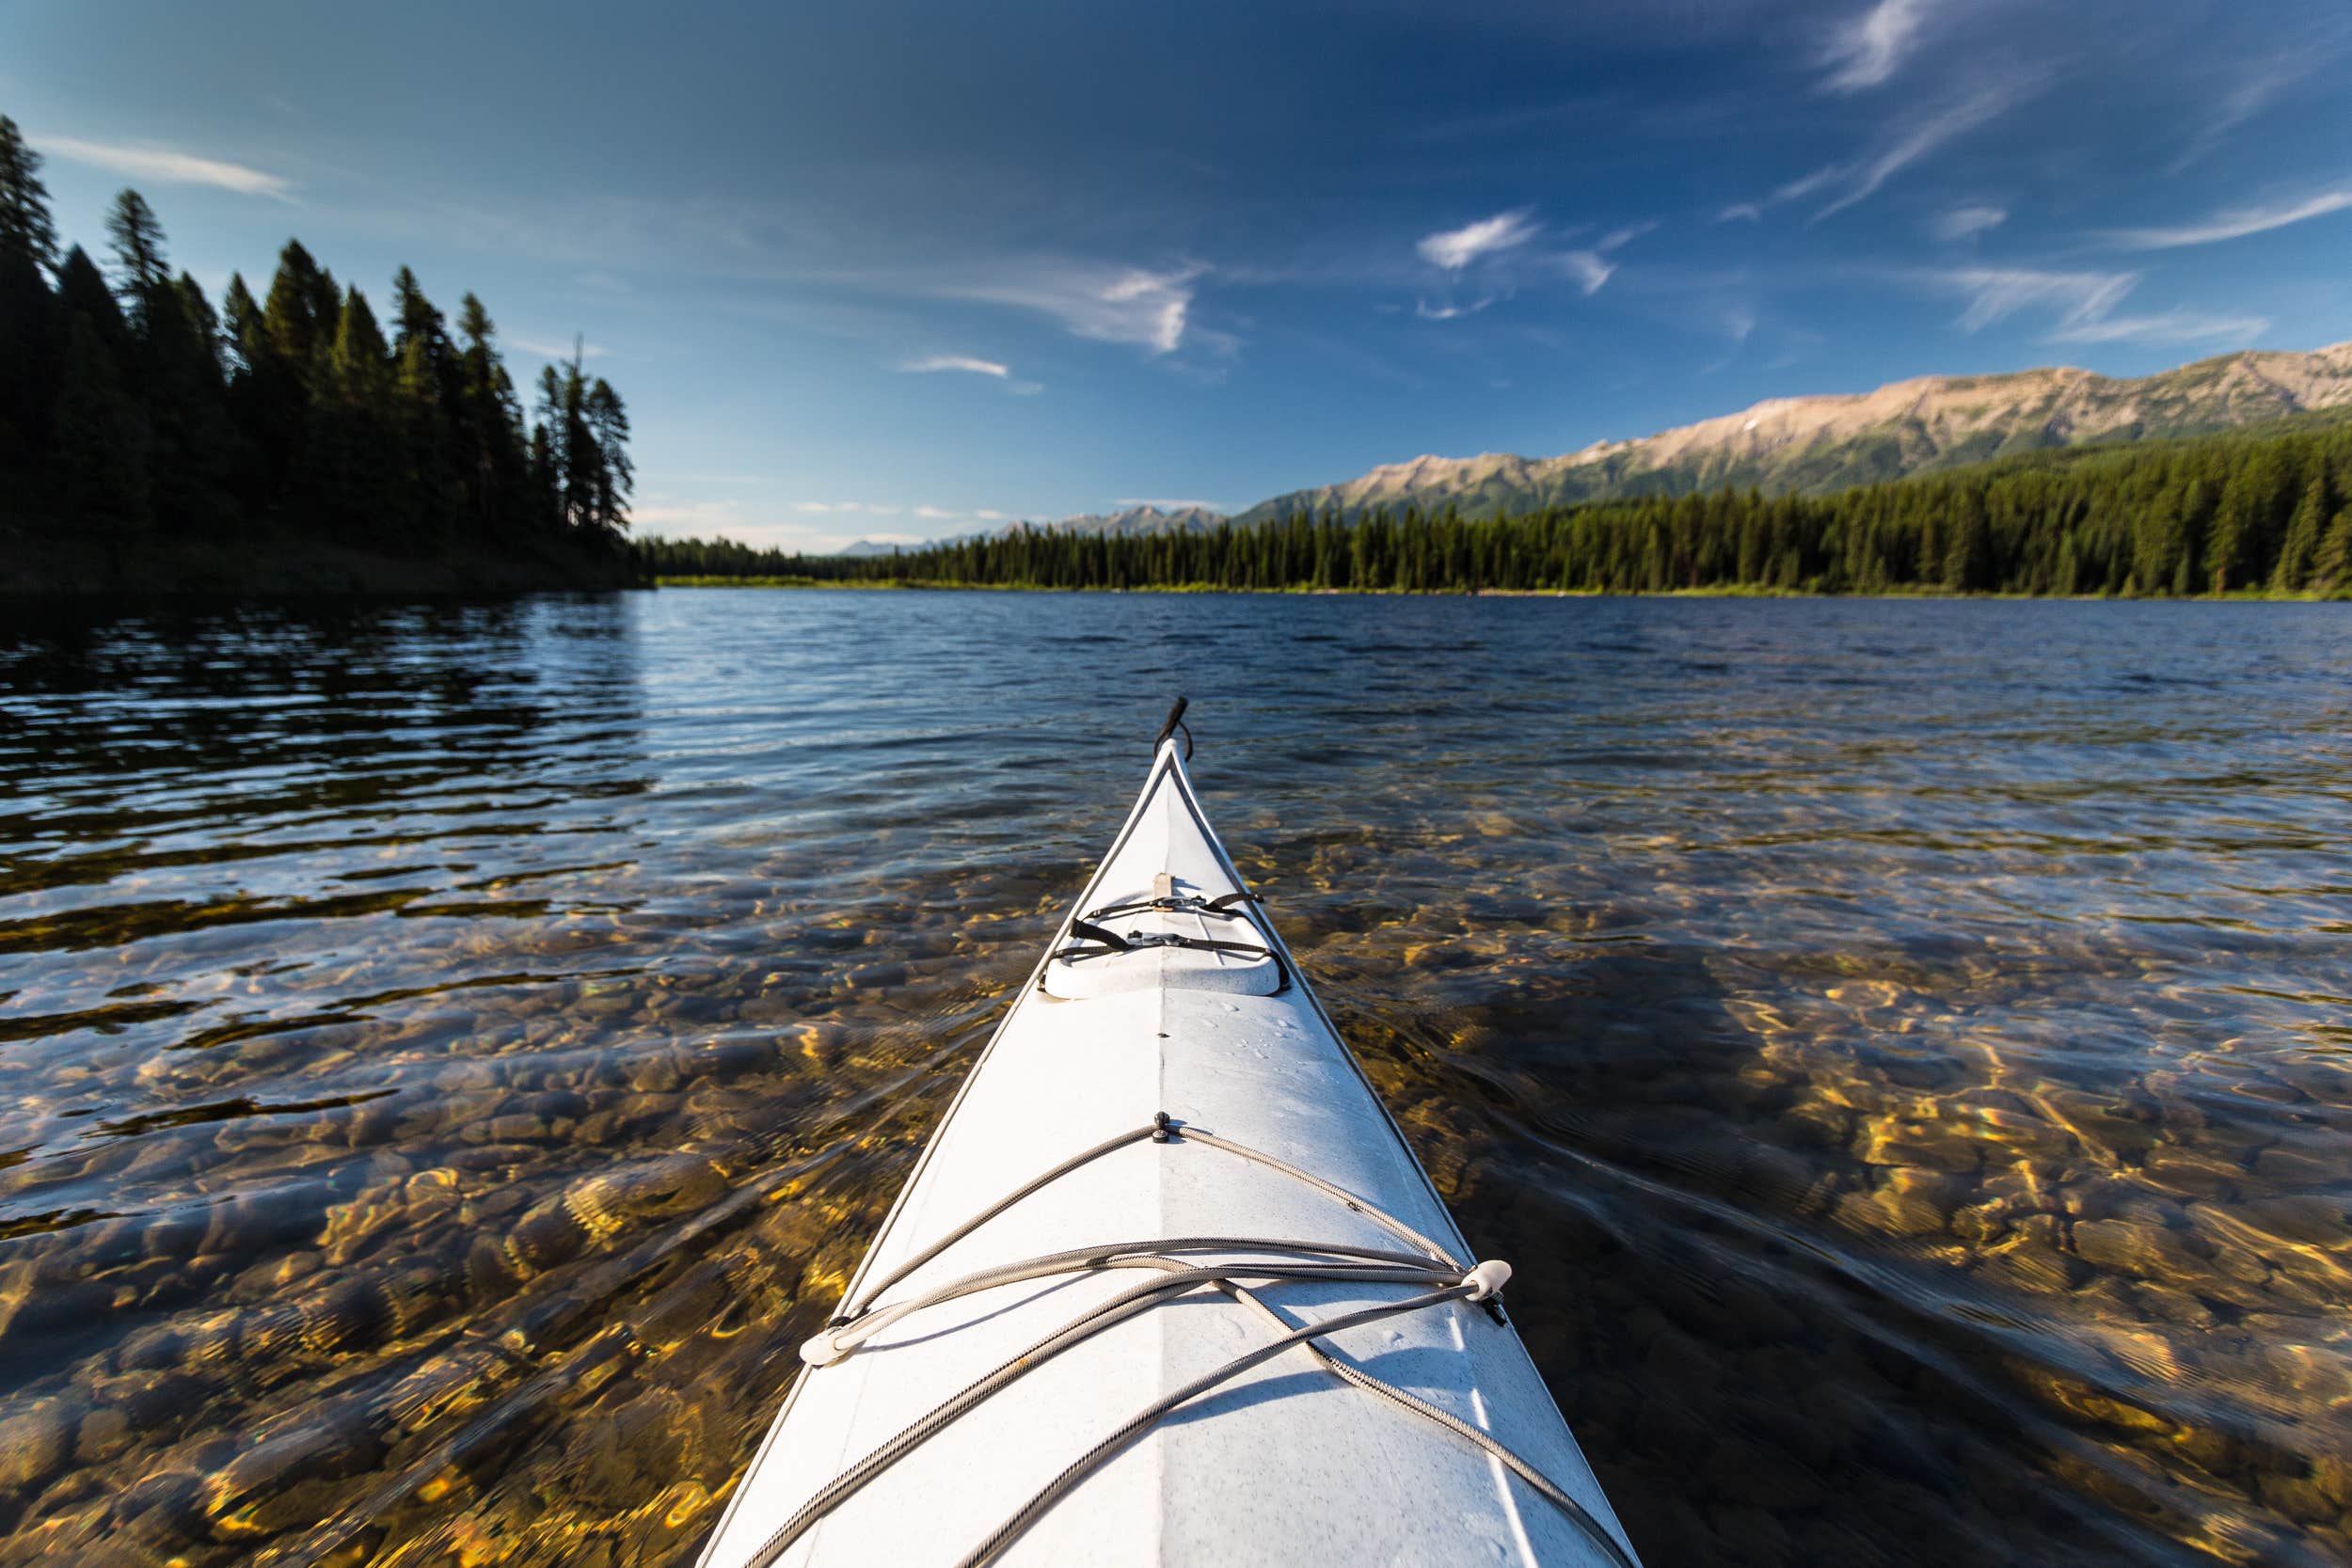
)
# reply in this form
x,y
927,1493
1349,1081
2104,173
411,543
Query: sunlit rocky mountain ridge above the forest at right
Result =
x,y
1859,438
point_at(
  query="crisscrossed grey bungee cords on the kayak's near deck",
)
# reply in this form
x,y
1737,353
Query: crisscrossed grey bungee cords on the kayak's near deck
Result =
x,y
1299,1261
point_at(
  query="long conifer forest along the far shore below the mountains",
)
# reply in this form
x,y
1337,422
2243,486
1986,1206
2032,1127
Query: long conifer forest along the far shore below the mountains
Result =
x,y
2229,514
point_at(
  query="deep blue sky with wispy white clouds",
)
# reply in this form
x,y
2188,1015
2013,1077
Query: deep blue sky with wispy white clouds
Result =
x,y
907,269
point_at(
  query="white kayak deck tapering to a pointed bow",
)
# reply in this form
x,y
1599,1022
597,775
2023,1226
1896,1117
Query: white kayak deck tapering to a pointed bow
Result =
x,y
1285,1463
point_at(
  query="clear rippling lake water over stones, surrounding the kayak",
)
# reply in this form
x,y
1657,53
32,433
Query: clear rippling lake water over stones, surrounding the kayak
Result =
x,y
450,1057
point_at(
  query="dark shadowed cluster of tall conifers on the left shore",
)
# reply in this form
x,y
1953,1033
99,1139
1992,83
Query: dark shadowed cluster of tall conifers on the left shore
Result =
x,y
133,410
